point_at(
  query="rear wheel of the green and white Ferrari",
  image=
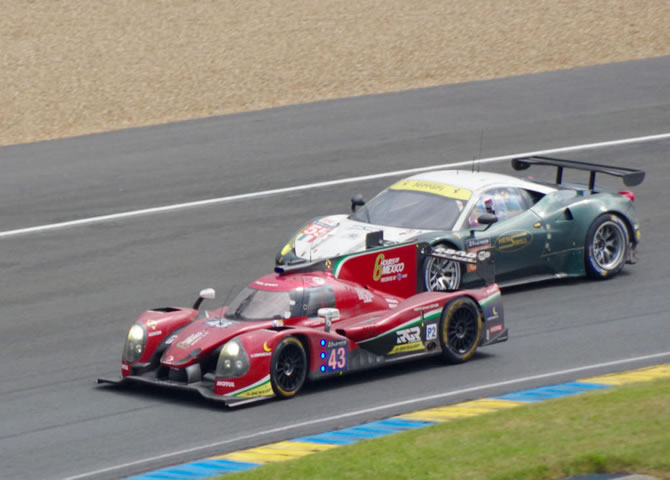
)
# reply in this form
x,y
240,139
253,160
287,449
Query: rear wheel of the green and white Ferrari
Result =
x,y
606,246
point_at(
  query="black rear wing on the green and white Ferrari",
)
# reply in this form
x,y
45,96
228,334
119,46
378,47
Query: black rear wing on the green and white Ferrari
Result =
x,y
631,176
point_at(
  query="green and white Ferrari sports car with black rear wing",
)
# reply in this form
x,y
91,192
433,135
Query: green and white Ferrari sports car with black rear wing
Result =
x,y
538,230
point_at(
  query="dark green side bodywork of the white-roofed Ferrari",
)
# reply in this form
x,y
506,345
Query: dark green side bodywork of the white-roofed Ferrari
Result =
x,y
546,241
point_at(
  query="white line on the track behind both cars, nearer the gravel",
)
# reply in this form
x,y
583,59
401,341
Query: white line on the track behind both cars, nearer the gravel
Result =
x,y
297,188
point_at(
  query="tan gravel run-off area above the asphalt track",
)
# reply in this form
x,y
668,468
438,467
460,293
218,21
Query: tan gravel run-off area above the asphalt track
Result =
x,y
73,67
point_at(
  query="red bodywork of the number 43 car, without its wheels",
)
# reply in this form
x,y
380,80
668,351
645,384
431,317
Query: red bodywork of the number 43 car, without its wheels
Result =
x,y
382,319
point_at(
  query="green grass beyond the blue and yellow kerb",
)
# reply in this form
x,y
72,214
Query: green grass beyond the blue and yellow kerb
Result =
x,y
622,429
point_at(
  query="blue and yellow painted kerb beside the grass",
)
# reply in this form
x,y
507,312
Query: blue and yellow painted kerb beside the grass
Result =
x,y
299,447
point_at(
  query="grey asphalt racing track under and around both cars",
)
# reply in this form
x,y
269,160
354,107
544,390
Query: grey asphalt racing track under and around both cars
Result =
x,y
68,296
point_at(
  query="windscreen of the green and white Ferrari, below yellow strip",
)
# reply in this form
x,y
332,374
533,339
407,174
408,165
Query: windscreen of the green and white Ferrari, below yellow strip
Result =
x,y
410,209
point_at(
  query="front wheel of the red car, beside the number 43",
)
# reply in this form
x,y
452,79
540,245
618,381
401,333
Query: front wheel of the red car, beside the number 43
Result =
x,y
288,368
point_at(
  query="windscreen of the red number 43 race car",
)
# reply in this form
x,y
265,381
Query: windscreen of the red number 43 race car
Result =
x,y
252,304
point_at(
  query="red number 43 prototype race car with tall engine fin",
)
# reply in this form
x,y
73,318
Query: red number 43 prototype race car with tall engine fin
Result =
x,y
313,321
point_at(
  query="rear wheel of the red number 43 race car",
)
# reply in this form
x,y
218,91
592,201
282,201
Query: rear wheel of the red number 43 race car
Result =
x,y
460,329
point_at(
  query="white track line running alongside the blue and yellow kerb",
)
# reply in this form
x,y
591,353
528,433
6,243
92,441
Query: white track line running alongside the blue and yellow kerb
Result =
x,y
367,411
